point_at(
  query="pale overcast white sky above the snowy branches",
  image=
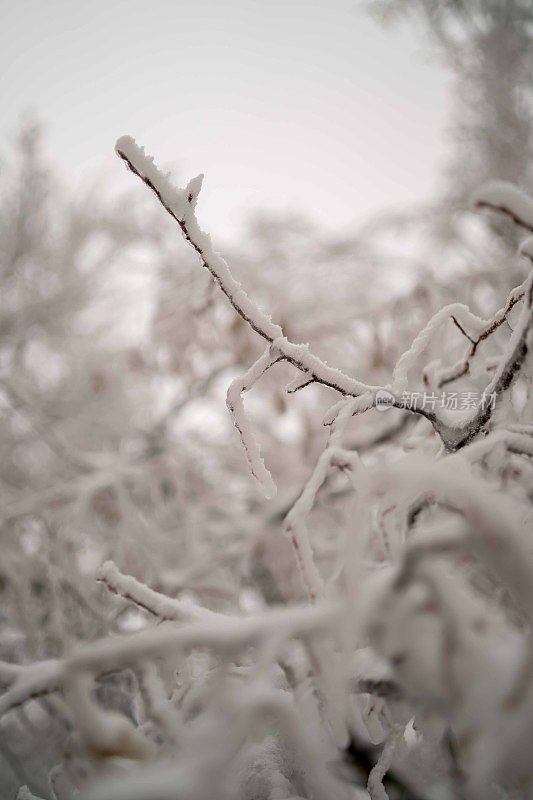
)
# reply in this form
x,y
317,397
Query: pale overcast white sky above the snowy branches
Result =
x,y
281,103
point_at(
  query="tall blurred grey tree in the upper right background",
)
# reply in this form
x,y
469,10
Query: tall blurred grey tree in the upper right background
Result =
x,y
487,47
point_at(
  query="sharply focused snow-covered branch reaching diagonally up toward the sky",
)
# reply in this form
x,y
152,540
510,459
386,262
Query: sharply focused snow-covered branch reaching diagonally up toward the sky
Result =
x,y
454,431
